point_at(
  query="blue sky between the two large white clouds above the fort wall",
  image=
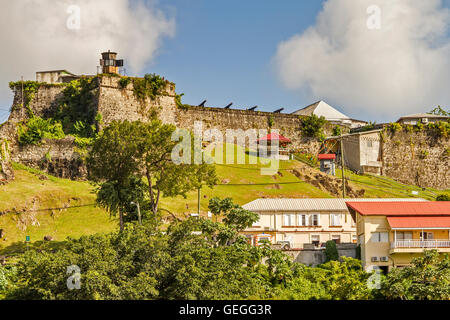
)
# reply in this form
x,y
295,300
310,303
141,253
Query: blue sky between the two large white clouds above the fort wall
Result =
x,y
223,51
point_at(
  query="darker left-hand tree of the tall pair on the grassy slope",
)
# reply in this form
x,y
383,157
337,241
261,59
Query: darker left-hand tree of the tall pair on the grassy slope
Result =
x,y
112,161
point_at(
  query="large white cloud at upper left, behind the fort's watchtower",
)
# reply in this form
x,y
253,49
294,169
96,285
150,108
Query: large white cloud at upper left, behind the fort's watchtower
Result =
x,y
35,36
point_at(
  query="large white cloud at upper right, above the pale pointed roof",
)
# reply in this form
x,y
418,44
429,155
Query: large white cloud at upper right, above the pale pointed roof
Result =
x,y
404,67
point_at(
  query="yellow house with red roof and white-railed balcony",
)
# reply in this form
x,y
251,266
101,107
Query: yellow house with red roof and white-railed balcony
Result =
x,y
391,234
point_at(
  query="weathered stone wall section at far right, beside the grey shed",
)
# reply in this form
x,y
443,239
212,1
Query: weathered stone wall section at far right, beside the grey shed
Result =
x,y
418,158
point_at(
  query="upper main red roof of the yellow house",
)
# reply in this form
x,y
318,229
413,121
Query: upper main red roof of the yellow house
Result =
x,y
396,208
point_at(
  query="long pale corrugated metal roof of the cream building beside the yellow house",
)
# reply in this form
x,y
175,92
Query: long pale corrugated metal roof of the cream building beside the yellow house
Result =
x,y
310,204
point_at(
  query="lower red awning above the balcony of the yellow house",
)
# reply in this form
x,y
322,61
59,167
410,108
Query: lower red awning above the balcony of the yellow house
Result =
x,y
419,222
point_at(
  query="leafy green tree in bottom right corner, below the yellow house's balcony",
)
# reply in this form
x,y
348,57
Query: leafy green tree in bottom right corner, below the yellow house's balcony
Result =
x,y
428,278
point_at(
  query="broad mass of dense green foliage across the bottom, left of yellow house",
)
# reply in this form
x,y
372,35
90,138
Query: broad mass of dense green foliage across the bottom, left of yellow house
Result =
x,y
187,261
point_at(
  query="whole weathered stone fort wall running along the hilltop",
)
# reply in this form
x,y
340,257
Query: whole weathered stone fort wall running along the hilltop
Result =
x,y
424,160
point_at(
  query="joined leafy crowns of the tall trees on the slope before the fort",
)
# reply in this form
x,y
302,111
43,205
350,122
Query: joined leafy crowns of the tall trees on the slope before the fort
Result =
x,y
127,150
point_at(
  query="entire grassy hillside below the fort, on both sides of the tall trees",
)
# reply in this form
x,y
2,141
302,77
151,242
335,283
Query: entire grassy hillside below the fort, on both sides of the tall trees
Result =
x,y
36,204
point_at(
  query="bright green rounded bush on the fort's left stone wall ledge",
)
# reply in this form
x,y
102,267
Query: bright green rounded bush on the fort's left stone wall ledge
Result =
x,y
36,129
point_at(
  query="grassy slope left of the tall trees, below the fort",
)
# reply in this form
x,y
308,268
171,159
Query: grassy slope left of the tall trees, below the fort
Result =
x,y
51,206
